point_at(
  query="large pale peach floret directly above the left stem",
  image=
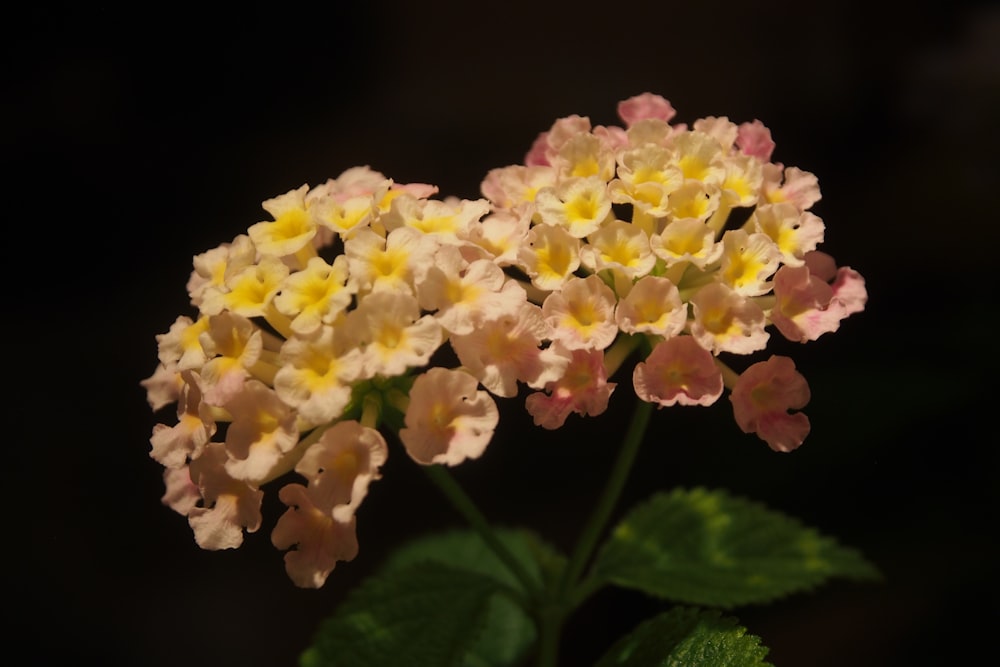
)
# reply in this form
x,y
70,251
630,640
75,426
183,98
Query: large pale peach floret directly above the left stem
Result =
x,y
448,420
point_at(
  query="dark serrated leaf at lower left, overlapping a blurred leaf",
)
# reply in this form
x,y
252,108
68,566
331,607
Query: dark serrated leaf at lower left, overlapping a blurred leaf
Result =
x,y
426,614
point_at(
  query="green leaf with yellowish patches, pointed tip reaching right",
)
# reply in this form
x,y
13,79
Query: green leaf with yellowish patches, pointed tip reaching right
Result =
x,y
709,548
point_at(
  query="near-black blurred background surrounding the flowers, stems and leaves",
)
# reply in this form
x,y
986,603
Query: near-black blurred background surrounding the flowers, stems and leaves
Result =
x,y
135,141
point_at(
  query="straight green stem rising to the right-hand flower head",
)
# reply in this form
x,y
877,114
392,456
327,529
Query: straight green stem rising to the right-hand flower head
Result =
x,y
612,490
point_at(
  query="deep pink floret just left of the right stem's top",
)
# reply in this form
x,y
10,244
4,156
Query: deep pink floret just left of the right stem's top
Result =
x,y
583,389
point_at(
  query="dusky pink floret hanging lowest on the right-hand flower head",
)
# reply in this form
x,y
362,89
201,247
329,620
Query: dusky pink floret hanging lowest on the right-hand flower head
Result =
x,y
762,397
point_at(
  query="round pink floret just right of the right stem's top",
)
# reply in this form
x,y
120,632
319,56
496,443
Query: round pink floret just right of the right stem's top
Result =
x,y
679,370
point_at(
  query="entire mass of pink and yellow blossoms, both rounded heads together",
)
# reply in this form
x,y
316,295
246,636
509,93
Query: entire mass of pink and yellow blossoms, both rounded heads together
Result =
x,y
321,328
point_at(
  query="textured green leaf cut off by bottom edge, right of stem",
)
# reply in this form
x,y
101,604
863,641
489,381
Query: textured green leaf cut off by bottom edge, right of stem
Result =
x,y
683,637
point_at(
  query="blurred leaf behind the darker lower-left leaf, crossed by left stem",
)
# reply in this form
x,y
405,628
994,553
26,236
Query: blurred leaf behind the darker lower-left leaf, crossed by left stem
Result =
x,y
508,630
